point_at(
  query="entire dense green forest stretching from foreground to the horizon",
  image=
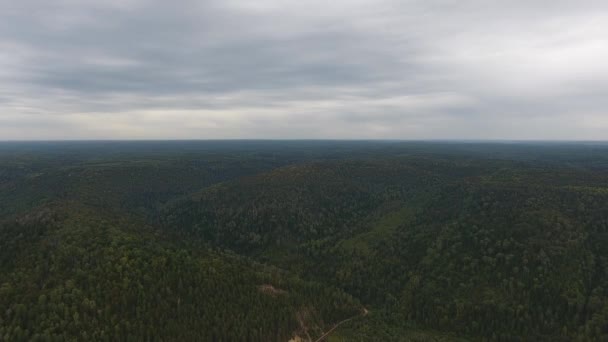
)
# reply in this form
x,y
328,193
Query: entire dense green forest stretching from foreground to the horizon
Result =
x,y
278,240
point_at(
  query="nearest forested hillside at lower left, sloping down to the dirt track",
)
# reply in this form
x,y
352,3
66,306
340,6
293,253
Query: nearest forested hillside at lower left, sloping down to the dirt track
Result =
x,y
69,273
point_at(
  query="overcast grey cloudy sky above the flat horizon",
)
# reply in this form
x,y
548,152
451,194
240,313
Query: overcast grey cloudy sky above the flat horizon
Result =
x,y
292,69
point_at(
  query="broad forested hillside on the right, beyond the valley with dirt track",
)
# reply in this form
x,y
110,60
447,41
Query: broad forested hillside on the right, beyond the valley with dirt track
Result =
x,y
478,248
